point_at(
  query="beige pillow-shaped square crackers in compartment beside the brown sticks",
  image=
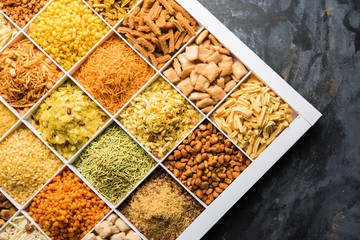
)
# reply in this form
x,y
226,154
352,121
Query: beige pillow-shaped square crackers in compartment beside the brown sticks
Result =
x,y
205,72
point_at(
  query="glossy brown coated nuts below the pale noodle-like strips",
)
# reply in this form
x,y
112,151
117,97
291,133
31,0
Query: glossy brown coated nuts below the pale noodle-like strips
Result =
x,y
207,162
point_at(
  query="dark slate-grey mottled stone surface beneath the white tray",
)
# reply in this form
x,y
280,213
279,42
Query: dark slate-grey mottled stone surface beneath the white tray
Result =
x,y
313,191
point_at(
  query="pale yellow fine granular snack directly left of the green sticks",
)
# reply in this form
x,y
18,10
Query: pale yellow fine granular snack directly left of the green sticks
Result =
x,y
26,164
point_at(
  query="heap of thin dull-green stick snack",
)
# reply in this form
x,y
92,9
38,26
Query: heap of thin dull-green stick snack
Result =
x,y
114,163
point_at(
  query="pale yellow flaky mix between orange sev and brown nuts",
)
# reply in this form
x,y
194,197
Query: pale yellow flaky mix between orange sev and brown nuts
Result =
x,y
159,117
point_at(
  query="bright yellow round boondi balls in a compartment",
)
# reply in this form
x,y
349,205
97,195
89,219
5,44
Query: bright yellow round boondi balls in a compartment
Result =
x,y
67,30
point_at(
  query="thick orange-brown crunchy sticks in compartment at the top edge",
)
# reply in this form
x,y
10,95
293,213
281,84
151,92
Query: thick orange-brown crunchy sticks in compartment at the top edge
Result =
x,y
157,29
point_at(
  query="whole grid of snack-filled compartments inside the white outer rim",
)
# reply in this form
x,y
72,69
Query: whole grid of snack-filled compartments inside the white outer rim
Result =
x,y
141,129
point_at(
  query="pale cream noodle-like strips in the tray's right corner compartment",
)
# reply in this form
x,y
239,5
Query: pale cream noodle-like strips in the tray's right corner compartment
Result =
x,y
253,116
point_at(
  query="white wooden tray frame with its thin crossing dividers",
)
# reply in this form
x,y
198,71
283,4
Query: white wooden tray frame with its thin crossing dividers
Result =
x,y
306,116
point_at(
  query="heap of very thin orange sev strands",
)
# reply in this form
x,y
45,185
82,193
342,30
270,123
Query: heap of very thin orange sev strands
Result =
x,y
113,73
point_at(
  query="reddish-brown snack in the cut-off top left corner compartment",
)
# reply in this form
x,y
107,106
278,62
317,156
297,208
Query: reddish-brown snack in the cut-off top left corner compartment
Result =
x,y
22,11
